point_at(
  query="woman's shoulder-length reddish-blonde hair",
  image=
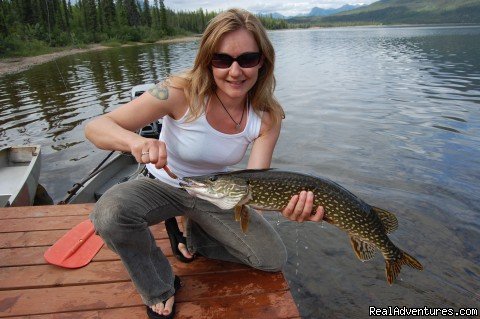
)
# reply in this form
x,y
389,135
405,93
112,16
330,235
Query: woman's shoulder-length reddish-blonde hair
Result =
x,y
198,83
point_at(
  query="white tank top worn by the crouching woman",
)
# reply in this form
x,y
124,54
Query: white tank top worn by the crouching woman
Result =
x,y
196,148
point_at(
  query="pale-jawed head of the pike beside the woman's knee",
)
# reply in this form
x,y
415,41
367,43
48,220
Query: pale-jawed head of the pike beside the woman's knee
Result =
x,y
221,190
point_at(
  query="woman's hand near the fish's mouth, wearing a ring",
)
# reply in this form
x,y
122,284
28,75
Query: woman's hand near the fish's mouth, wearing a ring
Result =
x,y
149,150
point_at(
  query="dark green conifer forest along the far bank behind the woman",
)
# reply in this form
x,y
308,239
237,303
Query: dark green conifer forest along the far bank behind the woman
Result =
x,y
33,27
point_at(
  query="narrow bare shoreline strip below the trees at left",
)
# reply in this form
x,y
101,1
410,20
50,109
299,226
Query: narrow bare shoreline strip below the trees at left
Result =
x,y
19,64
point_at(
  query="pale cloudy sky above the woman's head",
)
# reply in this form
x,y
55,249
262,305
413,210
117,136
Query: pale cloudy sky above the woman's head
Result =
x,y
285,7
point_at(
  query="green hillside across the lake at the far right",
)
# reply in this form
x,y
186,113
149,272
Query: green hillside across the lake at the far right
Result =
x,y
407,12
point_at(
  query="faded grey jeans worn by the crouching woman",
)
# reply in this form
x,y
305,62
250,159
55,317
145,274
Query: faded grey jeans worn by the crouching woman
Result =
x,y
124,213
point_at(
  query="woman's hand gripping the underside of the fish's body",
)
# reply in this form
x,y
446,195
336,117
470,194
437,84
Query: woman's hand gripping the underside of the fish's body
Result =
x,y
300,208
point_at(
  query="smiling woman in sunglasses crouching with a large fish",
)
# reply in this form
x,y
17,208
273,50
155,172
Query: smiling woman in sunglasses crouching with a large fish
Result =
x,y
211,114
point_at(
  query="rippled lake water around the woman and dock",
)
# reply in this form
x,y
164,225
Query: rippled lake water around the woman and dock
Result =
x,y
390,113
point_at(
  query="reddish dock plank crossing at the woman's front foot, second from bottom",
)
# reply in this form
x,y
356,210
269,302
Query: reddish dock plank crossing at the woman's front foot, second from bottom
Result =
x,y
113,295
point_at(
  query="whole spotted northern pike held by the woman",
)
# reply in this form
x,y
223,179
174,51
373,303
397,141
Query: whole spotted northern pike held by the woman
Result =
x,y
271,189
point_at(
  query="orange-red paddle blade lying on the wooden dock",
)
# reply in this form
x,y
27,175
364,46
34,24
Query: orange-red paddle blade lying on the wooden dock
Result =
x,y
76,248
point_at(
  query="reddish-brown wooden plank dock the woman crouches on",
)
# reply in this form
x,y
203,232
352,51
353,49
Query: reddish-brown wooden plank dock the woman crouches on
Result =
x,y
31,288
